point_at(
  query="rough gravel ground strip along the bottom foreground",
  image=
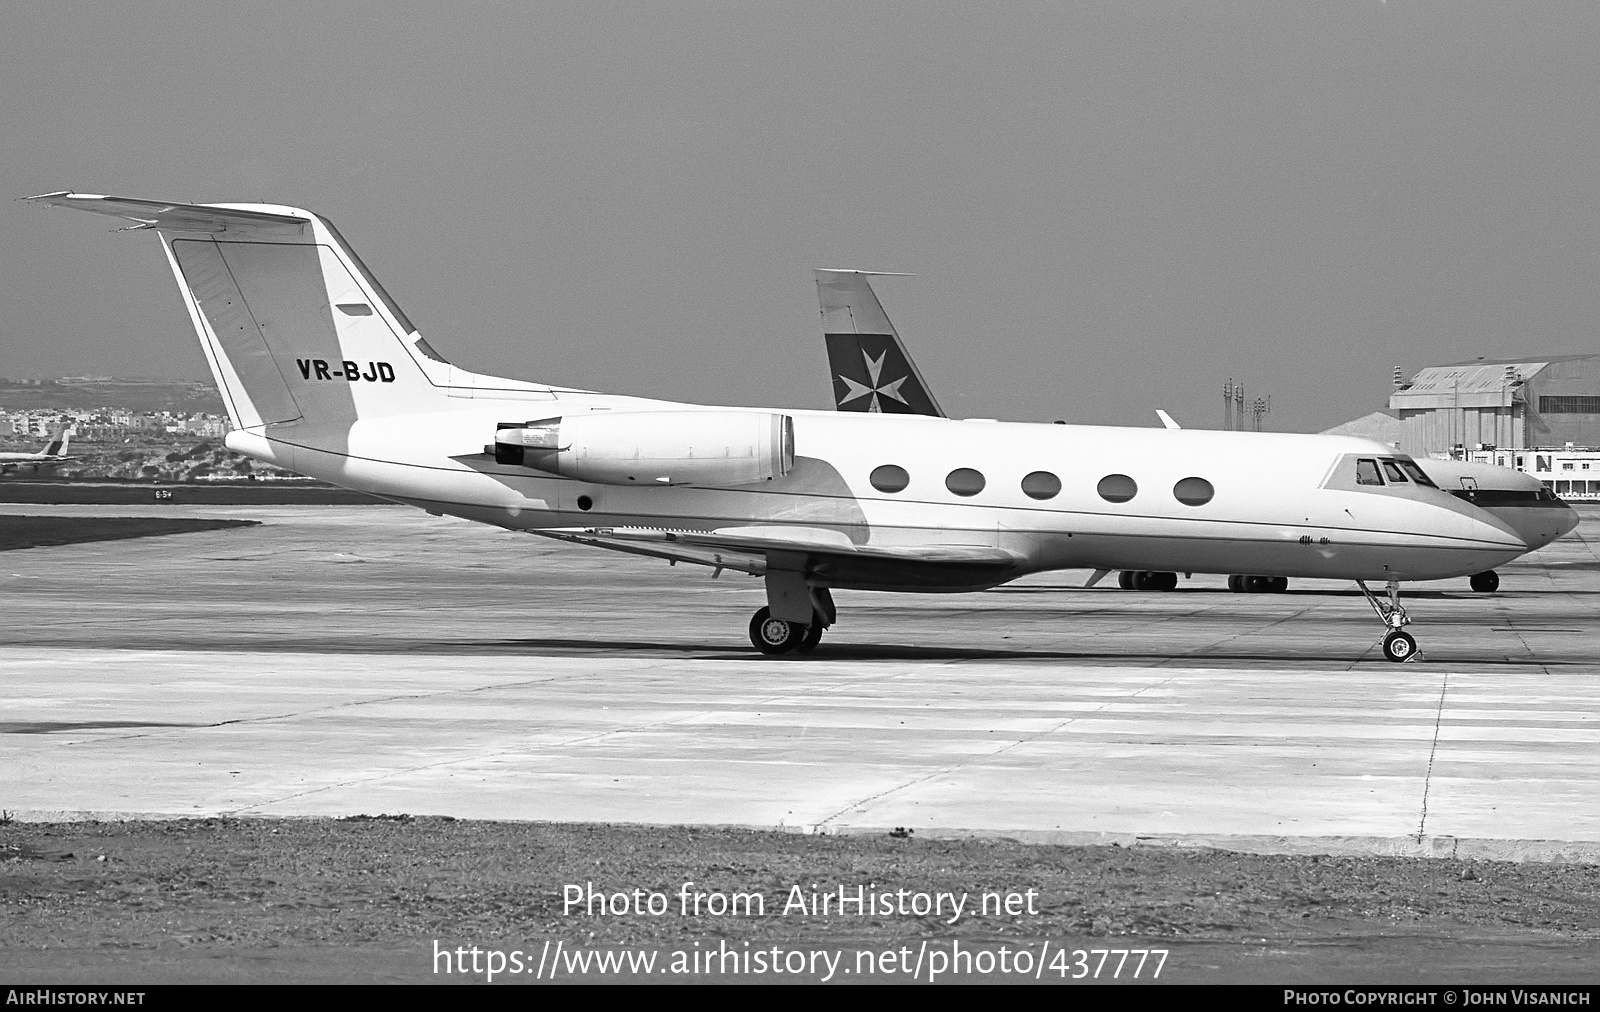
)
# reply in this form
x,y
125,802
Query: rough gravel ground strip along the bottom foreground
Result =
x,y
319,896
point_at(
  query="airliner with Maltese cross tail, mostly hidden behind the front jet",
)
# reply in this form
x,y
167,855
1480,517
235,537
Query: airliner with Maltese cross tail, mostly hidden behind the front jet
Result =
x,y
873,372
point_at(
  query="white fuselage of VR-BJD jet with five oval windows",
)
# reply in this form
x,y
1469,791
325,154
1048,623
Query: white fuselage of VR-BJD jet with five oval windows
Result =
x,y
1278,502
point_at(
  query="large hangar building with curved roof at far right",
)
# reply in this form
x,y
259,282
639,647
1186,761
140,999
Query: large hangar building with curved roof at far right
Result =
x,y
1490,404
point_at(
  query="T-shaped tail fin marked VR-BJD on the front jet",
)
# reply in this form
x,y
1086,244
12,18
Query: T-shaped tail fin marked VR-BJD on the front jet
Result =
x,y
294,324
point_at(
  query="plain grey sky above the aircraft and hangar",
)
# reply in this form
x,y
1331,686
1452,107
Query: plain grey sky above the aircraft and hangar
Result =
x,y
1110,207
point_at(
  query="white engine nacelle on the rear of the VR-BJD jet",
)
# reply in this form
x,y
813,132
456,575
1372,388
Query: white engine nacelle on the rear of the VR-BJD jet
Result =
x,y
654,448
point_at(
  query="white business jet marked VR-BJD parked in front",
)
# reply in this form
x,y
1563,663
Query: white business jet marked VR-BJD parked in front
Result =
x,y
326,375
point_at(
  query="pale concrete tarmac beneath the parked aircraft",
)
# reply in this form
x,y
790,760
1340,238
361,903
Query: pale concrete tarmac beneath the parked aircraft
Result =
x,y
343,661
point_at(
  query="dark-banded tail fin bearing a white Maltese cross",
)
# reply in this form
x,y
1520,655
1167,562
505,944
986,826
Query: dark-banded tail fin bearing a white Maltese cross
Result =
x,y
870,364
